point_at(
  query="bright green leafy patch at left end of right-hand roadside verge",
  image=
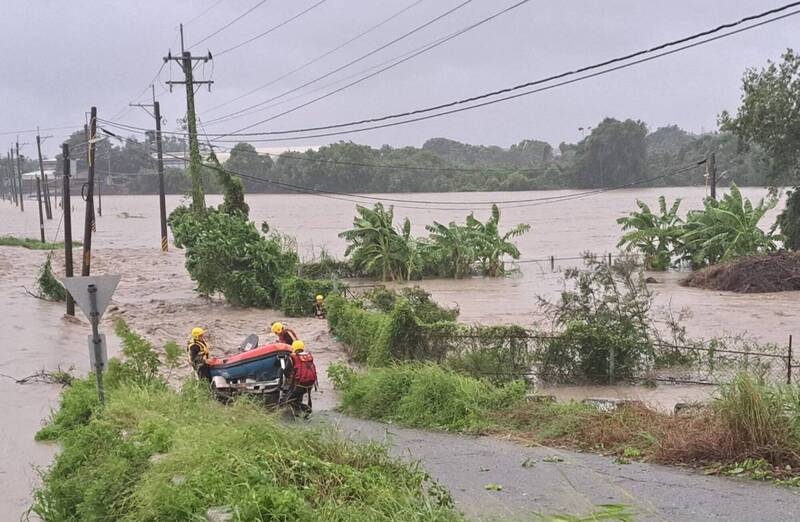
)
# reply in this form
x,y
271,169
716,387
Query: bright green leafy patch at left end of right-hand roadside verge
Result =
x,y
426,396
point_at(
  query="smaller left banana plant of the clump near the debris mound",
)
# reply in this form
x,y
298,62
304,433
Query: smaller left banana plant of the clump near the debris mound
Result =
x,y
656,236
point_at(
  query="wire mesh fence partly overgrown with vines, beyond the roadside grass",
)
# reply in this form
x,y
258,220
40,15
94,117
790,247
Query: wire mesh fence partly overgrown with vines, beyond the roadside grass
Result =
x,y
556,359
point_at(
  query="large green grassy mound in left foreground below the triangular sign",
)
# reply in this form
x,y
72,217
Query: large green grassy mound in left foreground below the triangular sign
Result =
x,y
153,453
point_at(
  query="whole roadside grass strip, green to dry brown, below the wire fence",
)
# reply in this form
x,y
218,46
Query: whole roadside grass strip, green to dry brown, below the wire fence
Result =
x,y
749,427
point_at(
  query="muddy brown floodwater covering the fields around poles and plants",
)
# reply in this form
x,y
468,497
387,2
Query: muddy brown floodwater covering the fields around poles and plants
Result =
x,y
156,295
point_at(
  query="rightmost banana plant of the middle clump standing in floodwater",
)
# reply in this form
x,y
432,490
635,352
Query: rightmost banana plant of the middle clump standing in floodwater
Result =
x,y
490,246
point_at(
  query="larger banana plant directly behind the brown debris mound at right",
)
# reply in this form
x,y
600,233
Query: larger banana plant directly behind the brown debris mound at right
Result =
x,y
728,229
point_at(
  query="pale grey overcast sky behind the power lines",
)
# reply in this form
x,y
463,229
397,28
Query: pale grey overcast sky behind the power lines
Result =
x,y
60,57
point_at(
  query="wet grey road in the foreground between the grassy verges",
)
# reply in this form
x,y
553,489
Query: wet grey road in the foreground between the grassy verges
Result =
x,y
577,483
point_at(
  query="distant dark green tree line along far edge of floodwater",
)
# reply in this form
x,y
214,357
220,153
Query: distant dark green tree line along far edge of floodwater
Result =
x,y
615,153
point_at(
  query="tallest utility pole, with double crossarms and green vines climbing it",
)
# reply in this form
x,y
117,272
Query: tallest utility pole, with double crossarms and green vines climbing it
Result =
x,y
186,61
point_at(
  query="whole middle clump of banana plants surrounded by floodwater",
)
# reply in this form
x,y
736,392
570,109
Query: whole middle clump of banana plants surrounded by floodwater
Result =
x,y
378,249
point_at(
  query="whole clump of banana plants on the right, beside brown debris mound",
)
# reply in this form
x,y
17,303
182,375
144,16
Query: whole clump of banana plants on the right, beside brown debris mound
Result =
x,y
725,229
